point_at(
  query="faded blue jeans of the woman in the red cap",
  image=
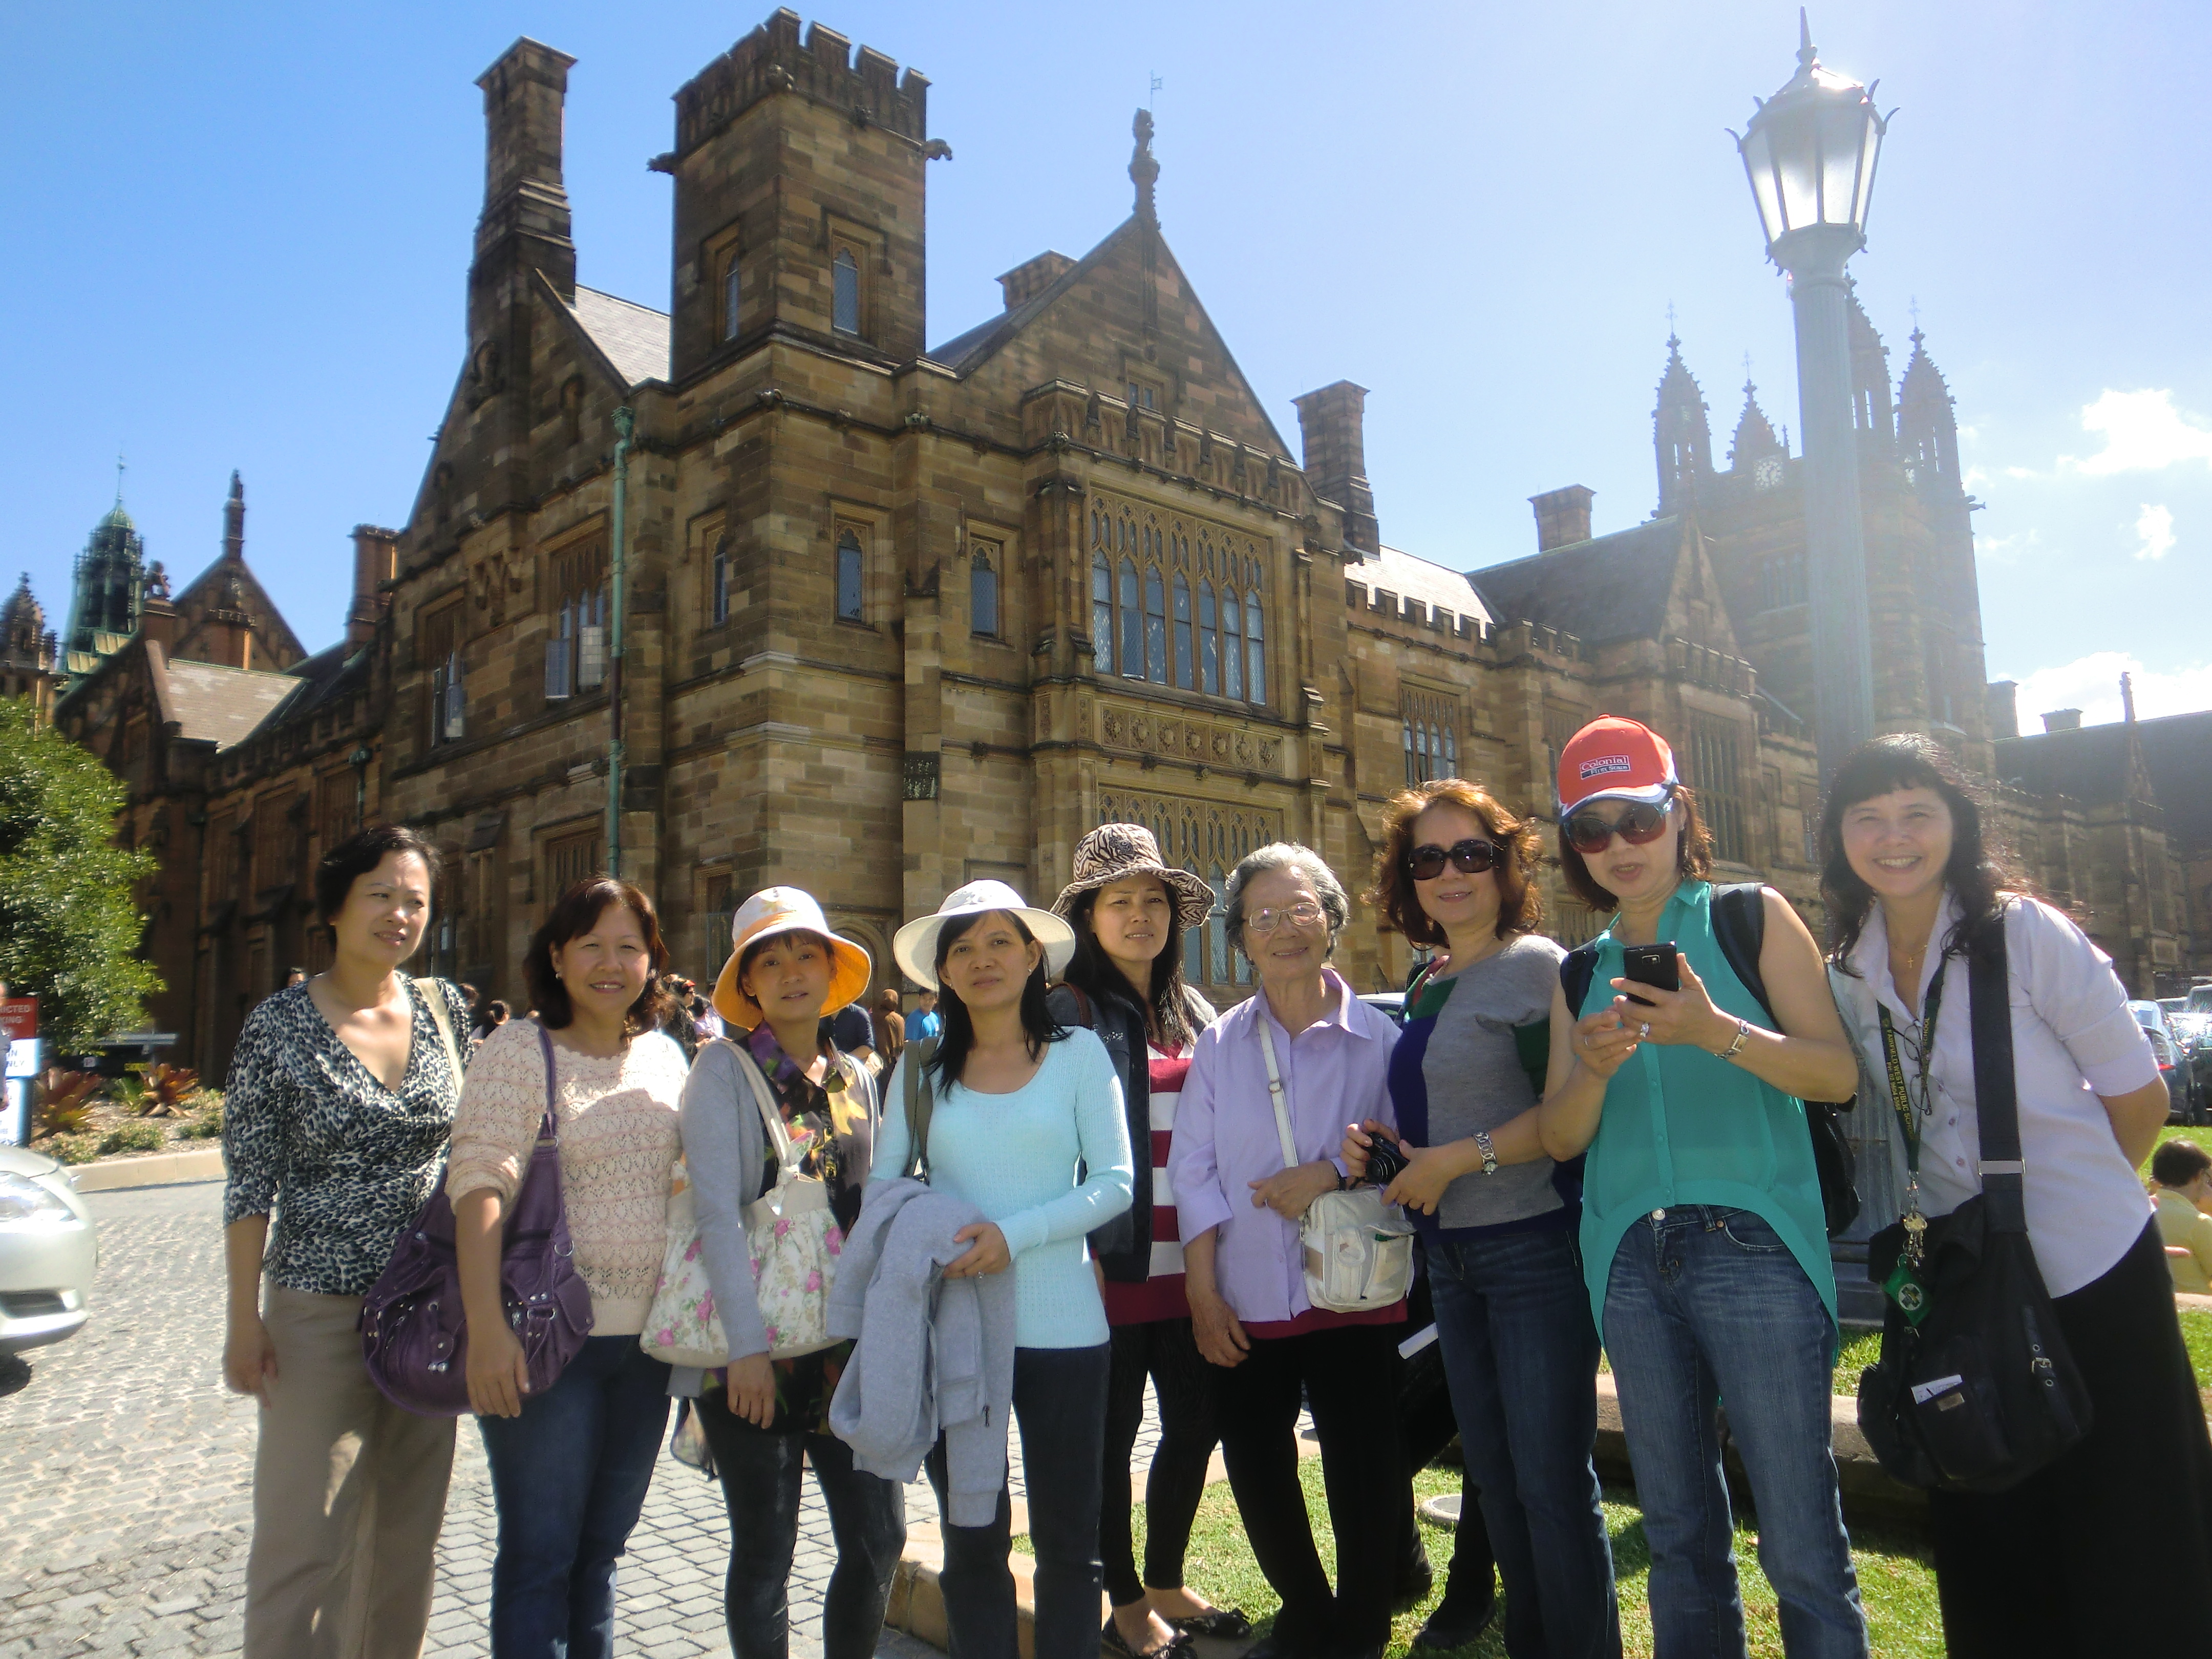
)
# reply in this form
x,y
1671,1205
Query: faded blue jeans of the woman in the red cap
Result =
x,y
1709,1304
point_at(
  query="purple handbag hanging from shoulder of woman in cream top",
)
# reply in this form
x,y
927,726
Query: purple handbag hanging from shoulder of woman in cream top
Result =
x,y
413,1333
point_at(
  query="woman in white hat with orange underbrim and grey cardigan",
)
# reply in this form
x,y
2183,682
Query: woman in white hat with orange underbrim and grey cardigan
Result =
x,y
764,1419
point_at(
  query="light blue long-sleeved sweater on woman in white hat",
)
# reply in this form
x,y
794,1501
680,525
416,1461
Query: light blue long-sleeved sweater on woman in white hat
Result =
x,y
1014,1158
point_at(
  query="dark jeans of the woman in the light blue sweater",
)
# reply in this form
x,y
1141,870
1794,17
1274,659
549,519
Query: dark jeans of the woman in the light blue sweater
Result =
x,y
1061,1406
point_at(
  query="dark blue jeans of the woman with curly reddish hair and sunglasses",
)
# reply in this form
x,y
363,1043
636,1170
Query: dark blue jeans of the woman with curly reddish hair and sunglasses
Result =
x,y
1521,1357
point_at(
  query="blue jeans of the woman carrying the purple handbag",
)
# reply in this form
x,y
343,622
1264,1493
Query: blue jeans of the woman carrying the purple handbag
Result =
x,y
570,1479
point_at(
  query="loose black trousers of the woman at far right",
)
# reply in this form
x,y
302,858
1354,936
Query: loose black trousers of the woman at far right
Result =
x,y
2109,1550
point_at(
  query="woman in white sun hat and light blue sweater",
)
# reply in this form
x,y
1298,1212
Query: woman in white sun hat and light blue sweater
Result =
x,y
1023,1109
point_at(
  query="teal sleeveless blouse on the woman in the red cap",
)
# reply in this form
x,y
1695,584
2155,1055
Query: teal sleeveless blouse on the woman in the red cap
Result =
x,y
1684,1127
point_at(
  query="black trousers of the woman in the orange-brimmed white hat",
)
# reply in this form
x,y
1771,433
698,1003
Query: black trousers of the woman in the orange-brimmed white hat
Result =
x,y
760,1483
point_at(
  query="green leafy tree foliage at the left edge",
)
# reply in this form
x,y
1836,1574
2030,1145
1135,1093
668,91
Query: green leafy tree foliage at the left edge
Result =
x,y
70,926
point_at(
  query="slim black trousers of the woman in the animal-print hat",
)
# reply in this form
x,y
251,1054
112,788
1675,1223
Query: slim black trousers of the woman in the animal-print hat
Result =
x,y
1185,1381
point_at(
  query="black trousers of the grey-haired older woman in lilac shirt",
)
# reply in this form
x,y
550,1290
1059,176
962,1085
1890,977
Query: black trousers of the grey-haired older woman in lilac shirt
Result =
x,y
1350,1381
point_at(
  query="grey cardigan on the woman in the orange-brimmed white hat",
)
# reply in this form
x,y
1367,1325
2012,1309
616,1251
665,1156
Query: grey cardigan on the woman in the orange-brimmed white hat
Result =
x,y
724,1151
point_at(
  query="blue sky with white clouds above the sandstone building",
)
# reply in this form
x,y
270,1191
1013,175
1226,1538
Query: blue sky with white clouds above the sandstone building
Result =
x,y
238,238
